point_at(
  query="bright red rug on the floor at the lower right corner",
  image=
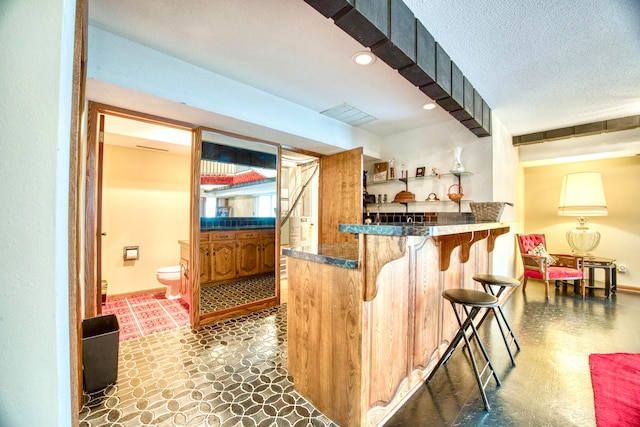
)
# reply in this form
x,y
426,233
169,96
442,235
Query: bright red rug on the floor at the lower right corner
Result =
x,y
616,388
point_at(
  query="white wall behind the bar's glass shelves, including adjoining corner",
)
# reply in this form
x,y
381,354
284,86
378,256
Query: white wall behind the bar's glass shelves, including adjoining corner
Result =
x,y
493,162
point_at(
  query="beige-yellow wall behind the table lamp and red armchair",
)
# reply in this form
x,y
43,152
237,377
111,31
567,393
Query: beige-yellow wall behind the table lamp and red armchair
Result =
x,y
620,230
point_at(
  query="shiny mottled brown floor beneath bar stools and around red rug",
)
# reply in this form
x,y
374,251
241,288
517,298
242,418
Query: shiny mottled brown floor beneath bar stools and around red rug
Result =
x,y
551,384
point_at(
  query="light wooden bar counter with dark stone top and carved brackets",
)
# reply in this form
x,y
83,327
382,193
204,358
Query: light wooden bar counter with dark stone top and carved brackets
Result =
x,y
366,321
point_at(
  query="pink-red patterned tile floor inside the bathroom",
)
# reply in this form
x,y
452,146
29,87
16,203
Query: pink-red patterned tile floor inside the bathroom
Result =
x,y
146,314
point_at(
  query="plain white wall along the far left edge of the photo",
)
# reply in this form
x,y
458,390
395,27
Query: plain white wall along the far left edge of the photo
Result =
x,y
35,105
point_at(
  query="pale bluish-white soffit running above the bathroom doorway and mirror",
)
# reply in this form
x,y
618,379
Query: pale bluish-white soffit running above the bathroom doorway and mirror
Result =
x,y
207,98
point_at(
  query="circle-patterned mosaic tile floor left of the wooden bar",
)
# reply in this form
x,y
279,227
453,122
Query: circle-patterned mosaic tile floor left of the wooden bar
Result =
x,y
232,373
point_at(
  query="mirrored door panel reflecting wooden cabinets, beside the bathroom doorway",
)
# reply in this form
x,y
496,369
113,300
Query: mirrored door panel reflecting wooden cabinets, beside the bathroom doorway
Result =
x,y
238,211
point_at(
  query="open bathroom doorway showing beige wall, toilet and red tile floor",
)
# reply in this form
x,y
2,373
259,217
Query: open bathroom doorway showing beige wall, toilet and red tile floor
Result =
x,y
144,213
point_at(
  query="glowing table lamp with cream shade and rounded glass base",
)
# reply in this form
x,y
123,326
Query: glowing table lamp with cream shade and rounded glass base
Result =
x,y
582,195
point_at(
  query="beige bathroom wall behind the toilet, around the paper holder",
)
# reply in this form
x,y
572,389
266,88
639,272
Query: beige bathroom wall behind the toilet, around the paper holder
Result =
x,y
146,204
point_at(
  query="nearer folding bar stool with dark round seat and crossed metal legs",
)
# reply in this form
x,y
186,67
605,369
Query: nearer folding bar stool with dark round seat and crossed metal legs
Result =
x,y
476,300
